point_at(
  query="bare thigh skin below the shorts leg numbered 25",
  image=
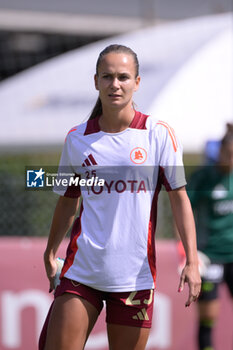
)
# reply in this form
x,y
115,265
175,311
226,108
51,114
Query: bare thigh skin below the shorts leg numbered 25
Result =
x,y
122,337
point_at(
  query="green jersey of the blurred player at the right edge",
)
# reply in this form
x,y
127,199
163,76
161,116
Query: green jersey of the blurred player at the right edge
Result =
x,y
211,194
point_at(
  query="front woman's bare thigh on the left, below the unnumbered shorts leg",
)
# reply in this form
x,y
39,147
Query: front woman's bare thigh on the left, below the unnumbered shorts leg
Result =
x,y
70,323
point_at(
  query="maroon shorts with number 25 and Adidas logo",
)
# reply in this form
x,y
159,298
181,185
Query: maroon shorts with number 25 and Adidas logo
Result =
x,y
124,308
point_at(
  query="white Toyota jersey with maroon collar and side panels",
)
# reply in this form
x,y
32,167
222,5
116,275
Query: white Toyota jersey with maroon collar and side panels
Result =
x,y
112,245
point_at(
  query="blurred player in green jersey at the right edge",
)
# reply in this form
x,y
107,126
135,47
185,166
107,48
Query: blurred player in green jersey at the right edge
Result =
x,y
211,194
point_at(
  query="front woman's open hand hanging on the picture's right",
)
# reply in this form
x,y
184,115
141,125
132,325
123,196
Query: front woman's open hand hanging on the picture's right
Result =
x,y
190,275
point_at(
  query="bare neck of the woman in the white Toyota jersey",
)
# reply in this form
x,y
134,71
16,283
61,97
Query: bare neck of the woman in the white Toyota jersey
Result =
x,y
116,120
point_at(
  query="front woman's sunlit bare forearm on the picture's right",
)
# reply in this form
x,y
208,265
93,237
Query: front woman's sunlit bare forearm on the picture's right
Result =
x,y
183,215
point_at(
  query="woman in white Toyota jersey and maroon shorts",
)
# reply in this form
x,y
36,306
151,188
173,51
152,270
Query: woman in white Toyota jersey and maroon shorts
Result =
x,y
111,255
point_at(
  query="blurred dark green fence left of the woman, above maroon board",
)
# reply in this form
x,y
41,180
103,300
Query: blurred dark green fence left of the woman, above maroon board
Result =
x,y
23,212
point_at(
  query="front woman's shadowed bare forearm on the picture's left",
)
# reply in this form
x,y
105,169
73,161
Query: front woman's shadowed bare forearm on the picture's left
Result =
x,y
62,220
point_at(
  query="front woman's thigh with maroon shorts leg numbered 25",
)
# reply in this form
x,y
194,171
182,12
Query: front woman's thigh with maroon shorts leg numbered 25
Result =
x,y
129,319
